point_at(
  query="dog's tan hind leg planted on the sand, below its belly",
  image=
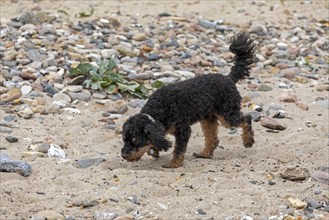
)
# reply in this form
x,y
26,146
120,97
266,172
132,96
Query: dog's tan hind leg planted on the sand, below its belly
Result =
x,y
210,130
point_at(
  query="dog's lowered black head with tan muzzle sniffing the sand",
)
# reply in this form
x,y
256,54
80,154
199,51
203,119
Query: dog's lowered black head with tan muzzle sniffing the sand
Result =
x,y
140,133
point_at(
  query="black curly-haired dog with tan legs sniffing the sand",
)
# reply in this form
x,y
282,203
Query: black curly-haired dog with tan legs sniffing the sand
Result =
x,y
174,108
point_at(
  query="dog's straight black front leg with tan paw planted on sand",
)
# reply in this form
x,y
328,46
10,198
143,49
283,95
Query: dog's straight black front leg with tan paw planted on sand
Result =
x,y
182,136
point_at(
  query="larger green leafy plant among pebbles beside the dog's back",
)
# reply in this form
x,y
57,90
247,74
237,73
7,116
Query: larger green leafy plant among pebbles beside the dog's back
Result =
x,y
105,76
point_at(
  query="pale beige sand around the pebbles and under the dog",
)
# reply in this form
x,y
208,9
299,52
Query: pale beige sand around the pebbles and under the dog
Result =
x,y
220,186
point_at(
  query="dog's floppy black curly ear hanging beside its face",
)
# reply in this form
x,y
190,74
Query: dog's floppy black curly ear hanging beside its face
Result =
x,y
157,137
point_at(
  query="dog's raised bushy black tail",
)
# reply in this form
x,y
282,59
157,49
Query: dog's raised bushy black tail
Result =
x,y
244,49
